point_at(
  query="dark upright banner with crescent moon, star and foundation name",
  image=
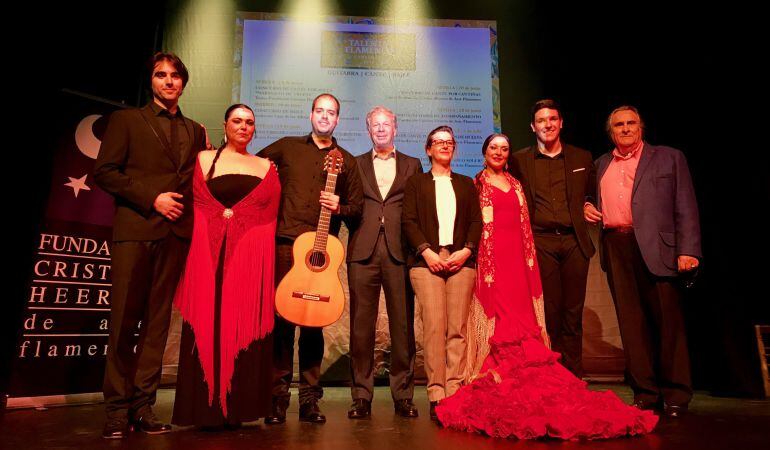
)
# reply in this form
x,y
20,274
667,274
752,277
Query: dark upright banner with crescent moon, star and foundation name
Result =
x,y
65,323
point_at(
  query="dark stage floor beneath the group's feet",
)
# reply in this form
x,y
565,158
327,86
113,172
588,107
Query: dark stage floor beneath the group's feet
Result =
x,y
713,423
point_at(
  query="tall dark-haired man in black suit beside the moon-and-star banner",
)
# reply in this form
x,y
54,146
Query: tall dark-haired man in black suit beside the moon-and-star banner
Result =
x,y
146,162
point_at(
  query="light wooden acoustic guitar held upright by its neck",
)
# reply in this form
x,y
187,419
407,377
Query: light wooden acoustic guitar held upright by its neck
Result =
x,y
311,293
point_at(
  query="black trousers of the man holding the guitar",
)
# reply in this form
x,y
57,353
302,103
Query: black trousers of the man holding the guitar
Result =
x,y
311,343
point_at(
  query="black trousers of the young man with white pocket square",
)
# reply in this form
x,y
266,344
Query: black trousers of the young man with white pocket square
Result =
x,y
564,273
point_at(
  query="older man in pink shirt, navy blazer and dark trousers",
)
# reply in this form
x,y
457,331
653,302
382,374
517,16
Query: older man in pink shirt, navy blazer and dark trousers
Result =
x,y
650,236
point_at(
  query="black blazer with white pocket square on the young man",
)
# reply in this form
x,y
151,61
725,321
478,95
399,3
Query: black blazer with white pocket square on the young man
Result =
x,y
581,180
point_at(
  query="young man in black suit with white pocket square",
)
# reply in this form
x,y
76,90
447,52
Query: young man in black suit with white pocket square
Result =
x,y
556,178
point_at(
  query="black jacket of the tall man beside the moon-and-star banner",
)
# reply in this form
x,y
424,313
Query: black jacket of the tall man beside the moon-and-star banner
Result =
x,y
136,164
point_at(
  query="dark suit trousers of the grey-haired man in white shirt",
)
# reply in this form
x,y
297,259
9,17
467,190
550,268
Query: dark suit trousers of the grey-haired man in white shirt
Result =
x,y
365,279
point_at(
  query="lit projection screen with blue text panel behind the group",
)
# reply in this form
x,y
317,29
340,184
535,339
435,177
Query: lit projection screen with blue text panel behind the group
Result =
x,y
430,73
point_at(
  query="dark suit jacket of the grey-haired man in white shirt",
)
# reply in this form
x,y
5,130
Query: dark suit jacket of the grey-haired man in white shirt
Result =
x,y
364,236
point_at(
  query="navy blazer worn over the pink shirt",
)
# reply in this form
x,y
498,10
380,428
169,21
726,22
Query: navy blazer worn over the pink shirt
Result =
x,y
663,207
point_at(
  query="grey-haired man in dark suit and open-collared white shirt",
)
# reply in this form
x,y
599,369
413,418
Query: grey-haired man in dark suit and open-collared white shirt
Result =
x,y
376,259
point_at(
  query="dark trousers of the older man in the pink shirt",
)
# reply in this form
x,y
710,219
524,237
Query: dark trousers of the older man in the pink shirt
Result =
x,y
651,324
